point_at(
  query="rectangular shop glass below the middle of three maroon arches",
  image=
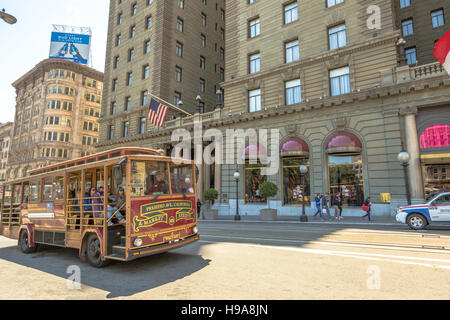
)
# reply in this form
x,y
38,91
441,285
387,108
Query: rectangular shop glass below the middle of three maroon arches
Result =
x,y
293,189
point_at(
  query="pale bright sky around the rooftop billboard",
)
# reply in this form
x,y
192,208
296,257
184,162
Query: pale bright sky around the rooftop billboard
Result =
x,y
24,44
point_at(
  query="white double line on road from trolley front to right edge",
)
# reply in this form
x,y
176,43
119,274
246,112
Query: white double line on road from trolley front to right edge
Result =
x,y
357,255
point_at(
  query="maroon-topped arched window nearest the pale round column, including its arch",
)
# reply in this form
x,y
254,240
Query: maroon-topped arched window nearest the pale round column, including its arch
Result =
x,y
345,168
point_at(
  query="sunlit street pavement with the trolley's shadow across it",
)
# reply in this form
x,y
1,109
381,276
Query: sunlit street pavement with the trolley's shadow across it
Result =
x,y
283,260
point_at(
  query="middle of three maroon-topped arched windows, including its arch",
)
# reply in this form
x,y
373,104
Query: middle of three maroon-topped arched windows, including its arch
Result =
x,y
294,153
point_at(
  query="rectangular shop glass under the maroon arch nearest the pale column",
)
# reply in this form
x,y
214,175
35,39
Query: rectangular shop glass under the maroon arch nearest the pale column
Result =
x,y
345,172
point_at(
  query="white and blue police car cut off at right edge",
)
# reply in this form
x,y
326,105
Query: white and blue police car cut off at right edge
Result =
x,y
434,212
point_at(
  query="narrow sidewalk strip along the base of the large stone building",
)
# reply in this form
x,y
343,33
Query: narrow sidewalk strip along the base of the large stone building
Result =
x,y
384,220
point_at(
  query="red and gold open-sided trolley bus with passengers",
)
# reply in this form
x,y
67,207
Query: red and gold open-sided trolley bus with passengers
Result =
x,y
120,204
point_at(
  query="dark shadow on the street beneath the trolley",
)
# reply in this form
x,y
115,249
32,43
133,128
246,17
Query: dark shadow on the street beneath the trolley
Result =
x,y
120,279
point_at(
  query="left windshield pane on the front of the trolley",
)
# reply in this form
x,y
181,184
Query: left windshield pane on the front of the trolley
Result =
x,y
149,178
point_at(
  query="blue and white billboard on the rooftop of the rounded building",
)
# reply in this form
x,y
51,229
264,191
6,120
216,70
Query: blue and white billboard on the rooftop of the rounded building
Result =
x,y
70,46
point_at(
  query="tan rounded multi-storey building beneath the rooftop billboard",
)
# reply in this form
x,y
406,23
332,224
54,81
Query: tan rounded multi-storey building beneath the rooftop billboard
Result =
x,y
58,106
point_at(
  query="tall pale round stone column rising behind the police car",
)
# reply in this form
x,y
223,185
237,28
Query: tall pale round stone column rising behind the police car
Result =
x,y
412,147
